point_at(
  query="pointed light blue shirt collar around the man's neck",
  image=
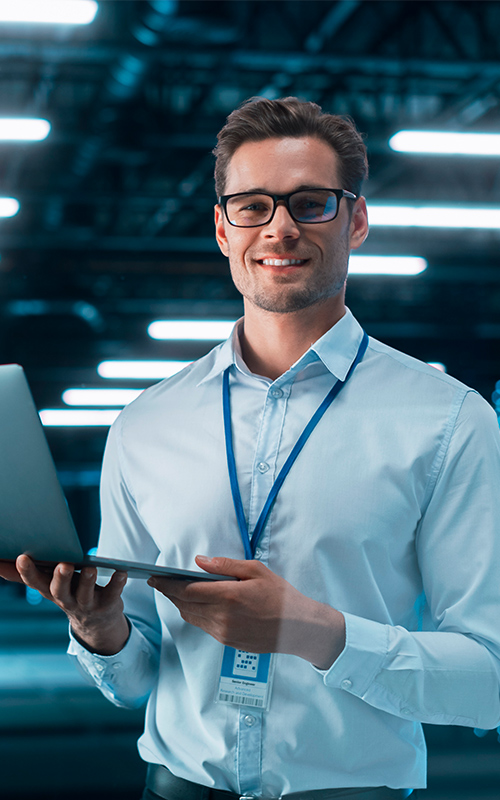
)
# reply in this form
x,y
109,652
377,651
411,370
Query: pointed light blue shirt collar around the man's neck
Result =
x,y
337,349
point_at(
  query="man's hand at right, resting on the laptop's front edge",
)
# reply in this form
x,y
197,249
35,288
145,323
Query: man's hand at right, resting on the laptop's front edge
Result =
x,y
260,613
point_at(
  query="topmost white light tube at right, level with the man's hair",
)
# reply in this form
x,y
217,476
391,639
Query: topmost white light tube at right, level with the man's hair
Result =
x,y
446,143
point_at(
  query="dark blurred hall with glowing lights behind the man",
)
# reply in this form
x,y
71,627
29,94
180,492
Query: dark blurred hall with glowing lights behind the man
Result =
x,y
108,115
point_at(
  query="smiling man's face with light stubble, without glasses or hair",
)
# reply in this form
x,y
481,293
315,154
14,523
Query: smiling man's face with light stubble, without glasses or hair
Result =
x,y
258,256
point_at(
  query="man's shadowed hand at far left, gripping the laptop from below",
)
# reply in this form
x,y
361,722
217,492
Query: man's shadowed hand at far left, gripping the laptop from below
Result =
x,y
95,612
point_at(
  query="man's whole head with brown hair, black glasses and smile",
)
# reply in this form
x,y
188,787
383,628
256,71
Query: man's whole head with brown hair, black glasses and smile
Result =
x,y
294,257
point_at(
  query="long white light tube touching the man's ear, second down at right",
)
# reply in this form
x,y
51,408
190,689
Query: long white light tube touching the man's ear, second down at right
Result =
x,y
419,216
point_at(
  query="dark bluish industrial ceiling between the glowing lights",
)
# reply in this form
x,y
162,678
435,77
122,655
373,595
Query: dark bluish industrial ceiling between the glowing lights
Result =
x,y
115,227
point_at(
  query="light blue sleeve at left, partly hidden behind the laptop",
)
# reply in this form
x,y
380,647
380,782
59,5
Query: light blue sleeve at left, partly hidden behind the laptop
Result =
x,y
128,677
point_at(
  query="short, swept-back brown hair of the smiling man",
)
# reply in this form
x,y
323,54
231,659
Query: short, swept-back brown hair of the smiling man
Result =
x,y
259,118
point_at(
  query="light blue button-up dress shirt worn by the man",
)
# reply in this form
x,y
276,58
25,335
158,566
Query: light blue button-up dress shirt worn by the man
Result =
x,y
390,514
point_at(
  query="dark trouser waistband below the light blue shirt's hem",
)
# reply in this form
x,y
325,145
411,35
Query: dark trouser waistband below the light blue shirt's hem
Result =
x,y
166,785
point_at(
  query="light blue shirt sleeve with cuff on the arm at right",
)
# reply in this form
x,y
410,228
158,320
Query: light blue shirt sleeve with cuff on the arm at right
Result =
x,y
450,674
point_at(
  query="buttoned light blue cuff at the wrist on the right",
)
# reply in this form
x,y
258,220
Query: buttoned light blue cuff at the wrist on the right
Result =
x,y
363,657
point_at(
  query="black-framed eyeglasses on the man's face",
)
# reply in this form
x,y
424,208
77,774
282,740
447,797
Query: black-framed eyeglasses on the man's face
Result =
x,y
308,206
